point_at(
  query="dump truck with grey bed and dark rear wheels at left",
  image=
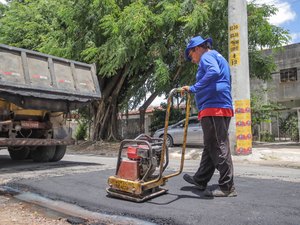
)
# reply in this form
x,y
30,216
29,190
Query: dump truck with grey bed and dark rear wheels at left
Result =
x,y
37,92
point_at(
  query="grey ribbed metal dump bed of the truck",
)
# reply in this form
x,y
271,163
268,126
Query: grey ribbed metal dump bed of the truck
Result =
x,y
33,80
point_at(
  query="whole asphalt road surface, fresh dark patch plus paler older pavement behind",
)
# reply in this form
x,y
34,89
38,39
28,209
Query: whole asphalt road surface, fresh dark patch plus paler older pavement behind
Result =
x,y
266,195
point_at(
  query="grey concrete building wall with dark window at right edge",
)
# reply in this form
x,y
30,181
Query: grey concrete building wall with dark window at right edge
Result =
x,y
283,91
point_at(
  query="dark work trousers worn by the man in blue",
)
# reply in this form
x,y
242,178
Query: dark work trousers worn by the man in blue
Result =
x,y
216,152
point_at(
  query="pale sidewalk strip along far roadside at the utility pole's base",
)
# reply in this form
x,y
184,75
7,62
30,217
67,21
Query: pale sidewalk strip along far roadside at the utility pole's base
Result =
x,y
283,154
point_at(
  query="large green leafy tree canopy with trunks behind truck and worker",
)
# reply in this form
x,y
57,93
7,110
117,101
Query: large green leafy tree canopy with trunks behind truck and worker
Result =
x,y
137,45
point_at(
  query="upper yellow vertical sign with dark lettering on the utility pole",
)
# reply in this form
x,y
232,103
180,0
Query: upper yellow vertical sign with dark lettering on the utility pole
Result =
x,y
234,45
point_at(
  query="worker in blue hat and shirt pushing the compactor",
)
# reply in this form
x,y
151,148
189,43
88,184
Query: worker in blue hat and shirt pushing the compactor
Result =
x,y
212,91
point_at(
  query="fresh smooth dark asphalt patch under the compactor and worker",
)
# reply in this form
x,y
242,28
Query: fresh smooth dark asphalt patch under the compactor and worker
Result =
x,y
259,201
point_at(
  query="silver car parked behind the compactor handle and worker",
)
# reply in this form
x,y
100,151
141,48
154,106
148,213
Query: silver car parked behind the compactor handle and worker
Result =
x,y
175,133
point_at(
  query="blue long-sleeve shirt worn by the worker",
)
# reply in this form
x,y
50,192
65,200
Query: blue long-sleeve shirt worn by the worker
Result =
x,y
213,83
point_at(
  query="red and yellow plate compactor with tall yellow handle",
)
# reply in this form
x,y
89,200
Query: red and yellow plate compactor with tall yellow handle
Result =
x,y
142,162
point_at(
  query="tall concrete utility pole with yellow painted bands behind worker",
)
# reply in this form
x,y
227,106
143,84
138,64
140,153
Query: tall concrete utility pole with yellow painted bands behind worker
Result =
x,y
240,127
